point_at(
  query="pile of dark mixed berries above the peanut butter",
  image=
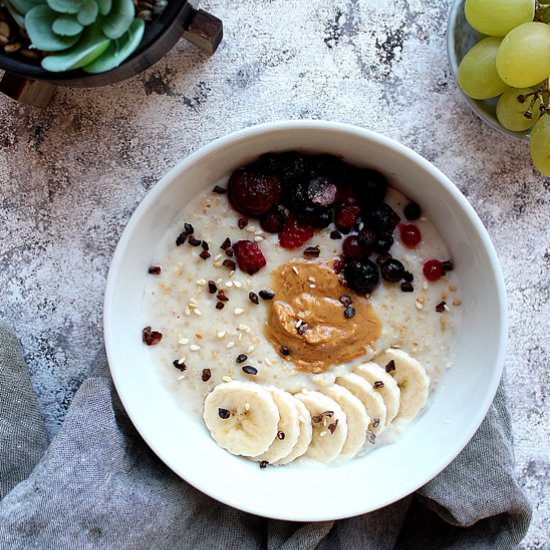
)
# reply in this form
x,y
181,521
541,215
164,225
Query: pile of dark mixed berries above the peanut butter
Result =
x,y
293,194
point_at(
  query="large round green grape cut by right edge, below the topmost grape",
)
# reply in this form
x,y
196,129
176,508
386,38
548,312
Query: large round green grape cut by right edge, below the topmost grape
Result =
x,y
523,58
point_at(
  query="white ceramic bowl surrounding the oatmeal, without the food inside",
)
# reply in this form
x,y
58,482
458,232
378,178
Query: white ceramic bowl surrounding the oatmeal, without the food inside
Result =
x,y
391,472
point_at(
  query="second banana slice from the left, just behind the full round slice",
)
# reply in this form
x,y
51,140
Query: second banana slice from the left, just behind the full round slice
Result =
x,y
288,429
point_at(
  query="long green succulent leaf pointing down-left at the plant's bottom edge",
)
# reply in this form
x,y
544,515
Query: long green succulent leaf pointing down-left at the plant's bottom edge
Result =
x,y
91,45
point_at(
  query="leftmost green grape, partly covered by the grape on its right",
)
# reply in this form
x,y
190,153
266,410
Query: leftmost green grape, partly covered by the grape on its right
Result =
x,y
477,73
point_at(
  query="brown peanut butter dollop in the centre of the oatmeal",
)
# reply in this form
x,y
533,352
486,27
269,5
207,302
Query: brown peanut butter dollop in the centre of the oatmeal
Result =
x,y
307,317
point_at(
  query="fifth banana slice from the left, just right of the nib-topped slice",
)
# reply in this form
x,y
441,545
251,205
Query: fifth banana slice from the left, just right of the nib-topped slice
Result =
x,y
356,417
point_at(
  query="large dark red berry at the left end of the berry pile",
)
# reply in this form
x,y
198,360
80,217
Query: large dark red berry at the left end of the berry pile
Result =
x,y
252,193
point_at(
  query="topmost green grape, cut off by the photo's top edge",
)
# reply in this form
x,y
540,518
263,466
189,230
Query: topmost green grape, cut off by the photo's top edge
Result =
x,y
498,17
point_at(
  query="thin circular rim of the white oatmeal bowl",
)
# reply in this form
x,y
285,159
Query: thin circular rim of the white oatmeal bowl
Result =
x,y
312,125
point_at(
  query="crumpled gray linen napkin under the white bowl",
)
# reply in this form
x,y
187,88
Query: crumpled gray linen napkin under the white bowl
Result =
x,y
99,486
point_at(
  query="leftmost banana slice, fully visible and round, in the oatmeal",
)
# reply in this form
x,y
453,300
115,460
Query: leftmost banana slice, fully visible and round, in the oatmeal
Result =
x,y
242,417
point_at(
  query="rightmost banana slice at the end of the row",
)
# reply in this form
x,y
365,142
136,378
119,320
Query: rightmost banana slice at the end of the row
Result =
x,y
411,378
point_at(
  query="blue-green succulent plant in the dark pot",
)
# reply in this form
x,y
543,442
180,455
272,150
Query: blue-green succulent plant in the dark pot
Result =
x,y
95,35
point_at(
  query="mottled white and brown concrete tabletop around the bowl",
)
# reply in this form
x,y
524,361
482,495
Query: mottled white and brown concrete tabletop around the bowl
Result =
x,y
71,176
